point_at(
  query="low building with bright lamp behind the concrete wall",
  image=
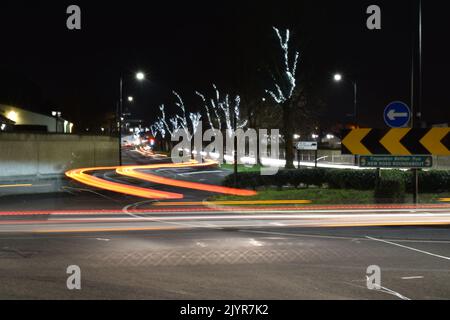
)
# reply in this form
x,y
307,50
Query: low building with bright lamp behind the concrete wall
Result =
x,y
18,119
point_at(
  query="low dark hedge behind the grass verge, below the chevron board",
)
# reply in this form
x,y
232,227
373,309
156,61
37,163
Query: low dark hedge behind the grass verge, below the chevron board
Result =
x,y
429,181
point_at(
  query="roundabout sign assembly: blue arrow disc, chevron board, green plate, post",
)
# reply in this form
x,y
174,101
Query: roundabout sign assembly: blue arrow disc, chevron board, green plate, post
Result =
x,y
409,148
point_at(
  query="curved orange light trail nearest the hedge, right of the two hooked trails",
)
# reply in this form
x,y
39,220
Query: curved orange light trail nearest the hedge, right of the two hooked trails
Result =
x,y
130,171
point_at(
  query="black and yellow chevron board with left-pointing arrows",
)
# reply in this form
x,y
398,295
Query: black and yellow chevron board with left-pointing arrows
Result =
x,y
399,142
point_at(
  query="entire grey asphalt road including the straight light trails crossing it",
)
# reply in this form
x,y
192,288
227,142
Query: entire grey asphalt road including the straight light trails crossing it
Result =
x,y
130,248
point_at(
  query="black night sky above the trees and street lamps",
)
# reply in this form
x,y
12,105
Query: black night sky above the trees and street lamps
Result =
x,y
187,45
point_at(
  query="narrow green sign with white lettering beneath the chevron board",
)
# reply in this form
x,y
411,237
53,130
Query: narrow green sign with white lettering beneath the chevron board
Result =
x,y
395,161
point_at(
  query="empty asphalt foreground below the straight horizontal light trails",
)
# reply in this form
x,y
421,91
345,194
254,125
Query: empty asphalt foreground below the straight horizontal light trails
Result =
x,y
263,263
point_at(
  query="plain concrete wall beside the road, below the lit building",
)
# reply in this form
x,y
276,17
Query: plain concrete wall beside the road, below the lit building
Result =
x,y
30,154
